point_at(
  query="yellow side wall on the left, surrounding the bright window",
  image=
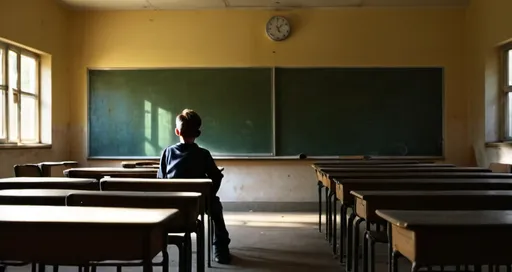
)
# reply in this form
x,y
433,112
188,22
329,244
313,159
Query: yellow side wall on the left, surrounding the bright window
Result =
x,y
41,25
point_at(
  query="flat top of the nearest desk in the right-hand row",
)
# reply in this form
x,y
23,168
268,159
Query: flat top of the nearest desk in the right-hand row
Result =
x,y
418,219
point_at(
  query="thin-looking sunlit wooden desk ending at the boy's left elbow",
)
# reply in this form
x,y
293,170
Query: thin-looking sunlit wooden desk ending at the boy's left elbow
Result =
x,y
101,172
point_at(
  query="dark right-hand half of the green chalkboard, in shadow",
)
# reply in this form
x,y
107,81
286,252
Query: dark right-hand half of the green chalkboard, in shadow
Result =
x,y
359,111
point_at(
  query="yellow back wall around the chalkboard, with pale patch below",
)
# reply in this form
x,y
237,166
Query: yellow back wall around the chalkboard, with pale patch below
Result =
x,y
343,37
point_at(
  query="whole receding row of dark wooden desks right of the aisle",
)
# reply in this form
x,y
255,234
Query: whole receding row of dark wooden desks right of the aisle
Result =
x,y
368,188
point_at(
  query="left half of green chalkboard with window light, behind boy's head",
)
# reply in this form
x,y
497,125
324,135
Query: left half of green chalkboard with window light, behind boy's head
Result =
x,y
132,112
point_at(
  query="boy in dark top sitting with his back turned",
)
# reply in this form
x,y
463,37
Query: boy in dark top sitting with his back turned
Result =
x,y
187,160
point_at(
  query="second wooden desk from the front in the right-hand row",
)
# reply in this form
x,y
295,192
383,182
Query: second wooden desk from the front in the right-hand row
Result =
x,y
368,202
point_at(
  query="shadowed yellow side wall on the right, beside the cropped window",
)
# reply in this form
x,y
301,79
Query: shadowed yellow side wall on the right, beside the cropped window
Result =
x,y
488,24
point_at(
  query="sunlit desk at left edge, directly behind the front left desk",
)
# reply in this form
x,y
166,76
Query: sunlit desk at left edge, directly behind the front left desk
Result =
x,y
52,197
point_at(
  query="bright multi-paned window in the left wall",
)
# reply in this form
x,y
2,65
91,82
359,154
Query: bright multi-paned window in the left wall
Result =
x,y
19,95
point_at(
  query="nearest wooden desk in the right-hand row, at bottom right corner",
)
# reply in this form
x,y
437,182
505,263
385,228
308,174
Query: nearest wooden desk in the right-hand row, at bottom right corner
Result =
x,y
444,238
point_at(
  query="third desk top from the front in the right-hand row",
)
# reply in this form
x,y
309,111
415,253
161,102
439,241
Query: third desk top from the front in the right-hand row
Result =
x,y
423,179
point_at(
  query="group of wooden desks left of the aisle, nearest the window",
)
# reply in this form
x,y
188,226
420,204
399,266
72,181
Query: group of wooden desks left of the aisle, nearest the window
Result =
x,y
102,186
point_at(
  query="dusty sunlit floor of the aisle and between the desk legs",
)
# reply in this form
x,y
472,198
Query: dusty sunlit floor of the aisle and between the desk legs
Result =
x,y
269,242
